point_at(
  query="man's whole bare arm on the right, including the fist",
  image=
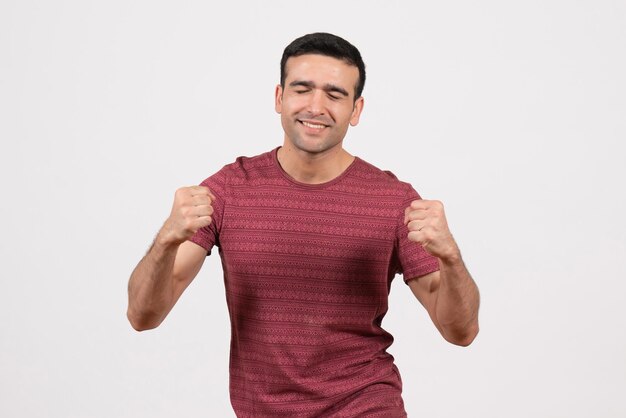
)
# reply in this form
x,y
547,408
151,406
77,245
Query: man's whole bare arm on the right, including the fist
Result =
x,y
450,295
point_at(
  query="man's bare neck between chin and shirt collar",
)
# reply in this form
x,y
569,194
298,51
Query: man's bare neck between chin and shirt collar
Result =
x,y
313,168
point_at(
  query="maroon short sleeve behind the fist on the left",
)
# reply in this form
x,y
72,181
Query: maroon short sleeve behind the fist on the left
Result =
x,y
208,236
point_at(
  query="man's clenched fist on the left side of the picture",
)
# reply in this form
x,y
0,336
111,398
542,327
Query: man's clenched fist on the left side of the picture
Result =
x,y
191,211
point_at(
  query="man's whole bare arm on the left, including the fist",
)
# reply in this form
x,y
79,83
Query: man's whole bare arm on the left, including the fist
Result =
x,y
172,262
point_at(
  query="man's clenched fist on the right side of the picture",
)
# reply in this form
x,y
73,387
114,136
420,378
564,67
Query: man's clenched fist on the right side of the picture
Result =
x,y
427,226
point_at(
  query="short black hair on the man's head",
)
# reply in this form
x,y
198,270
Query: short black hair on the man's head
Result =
x,y
329,45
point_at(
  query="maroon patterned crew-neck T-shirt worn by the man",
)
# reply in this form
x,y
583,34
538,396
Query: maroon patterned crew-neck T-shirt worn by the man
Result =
x,y
307,271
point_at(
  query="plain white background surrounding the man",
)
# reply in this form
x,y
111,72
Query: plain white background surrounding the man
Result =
x,y
511,113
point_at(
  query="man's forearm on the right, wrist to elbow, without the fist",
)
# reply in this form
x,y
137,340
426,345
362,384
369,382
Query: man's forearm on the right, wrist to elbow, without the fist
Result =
x,y
457,302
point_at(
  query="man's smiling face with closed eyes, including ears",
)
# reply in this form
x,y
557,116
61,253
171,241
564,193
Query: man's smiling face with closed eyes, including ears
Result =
x,y
317,103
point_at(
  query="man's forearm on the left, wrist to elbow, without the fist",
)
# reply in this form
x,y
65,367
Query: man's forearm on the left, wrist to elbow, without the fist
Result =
x,y
151,288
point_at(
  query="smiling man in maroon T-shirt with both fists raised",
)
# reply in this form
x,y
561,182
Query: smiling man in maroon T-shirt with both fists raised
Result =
x,y
310,239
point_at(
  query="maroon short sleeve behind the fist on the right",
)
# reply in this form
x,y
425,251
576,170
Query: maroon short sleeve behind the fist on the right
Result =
x,y
414,261
